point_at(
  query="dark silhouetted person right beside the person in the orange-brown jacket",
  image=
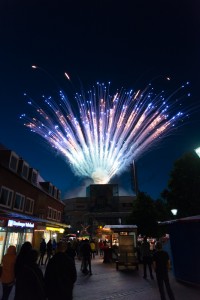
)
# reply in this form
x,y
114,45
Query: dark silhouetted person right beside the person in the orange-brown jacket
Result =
x,y
30,281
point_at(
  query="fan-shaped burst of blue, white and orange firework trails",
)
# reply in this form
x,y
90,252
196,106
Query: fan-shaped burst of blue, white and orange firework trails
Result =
x,y
109,132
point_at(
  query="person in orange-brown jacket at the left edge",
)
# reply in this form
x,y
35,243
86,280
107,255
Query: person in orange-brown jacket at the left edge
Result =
x,y
8,271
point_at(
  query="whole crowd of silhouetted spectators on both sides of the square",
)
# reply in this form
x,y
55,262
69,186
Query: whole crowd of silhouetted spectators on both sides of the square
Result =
x,y
23,270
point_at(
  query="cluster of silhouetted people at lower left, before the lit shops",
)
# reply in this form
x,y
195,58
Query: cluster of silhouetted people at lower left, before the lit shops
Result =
x,y
23,271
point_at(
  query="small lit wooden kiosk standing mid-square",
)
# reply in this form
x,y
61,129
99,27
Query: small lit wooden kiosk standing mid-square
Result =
x,y
124,241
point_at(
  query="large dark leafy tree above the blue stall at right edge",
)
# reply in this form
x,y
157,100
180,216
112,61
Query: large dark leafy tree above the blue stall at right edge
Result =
x,y
183,192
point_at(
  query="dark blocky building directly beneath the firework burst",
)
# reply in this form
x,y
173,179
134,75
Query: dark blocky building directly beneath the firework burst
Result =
x,y
102,205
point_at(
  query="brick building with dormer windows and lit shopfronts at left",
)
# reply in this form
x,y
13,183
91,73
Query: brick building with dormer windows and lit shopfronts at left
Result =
x,y
30,208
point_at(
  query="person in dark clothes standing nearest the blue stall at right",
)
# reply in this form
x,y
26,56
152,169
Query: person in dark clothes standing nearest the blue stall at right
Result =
x,y
161,264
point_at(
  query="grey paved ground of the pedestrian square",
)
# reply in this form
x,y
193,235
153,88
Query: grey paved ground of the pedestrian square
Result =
x,y
106,284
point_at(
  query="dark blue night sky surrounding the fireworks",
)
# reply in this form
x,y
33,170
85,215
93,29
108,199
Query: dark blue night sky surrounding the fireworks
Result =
x,y
126,42
